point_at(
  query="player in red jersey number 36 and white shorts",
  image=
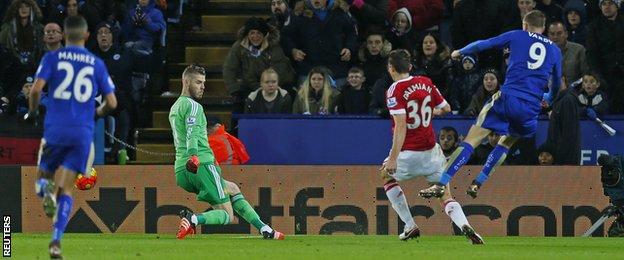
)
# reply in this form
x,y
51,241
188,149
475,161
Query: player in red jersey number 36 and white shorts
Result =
x,y
412,102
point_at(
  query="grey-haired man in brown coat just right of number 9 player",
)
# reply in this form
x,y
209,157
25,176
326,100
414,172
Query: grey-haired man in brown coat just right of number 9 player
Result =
x,y
573,58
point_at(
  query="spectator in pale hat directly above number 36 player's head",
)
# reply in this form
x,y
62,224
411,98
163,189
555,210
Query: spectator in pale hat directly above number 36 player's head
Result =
x,y
401,35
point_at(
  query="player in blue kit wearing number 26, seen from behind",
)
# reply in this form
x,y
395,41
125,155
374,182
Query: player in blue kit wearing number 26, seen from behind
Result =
x,y
74,77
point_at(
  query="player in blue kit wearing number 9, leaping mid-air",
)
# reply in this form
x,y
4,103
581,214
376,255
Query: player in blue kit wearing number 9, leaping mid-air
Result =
x,y
513,111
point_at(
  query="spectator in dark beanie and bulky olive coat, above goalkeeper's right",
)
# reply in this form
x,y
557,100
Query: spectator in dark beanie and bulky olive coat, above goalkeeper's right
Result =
x,y
256,49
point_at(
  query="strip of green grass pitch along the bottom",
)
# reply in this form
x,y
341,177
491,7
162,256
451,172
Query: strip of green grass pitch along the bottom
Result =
x,y
153,246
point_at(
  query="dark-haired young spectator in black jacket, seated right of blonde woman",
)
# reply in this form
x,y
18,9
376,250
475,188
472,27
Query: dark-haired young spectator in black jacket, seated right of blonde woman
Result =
x,y
354,98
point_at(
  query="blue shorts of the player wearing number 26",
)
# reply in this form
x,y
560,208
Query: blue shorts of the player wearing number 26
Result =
x,y
77,158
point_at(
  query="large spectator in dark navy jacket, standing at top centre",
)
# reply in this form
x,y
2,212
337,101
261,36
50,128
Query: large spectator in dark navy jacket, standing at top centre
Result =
x,y
322,35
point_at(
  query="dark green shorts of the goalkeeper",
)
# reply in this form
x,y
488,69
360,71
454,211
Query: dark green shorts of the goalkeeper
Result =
x,y
207,184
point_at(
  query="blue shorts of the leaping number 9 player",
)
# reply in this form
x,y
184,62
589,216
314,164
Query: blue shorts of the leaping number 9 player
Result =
x,y
505,114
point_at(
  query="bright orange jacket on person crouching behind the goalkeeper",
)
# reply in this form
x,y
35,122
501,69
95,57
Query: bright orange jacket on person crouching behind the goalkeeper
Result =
x,y
227,149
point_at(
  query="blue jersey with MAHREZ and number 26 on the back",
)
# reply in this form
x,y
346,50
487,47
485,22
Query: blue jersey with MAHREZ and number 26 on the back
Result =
x,y
74,77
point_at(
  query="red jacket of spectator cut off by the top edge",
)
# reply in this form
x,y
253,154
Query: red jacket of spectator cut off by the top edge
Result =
x,y
426,14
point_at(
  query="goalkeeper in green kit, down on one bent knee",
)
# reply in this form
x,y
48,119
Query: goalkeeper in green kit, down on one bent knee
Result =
x,y
196,168
